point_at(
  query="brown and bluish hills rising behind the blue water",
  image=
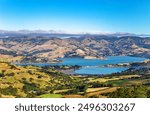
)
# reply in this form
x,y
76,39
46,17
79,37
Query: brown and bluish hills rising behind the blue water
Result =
x,y
84,45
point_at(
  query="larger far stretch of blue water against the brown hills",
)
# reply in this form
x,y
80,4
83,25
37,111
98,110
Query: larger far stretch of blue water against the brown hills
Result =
x,y
97,62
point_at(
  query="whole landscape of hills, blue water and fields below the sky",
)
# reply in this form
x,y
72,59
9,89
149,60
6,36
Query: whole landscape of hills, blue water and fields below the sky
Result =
x,y
53,67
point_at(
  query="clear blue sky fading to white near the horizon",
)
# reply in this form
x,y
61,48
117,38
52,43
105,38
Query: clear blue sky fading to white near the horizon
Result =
x,y
131,16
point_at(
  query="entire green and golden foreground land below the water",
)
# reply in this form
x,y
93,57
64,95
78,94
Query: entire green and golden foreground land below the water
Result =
x,y
32,82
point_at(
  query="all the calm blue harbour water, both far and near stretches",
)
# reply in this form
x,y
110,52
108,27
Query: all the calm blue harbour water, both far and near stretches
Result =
x,y
93,66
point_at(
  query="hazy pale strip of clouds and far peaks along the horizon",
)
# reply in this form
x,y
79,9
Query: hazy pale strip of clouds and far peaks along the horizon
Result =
x,y
43,32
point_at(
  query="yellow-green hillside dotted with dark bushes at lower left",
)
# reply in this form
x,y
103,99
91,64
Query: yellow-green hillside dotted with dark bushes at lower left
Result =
x,y
30,81
